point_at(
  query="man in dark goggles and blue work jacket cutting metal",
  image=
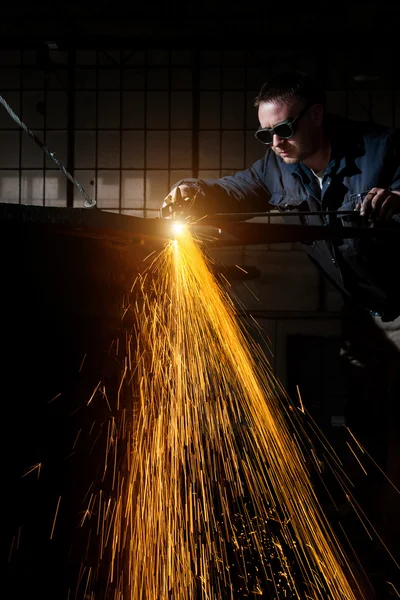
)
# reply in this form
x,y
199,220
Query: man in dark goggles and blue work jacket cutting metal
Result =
x,y
314,163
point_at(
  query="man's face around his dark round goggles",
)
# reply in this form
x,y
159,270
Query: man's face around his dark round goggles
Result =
x,y
307,137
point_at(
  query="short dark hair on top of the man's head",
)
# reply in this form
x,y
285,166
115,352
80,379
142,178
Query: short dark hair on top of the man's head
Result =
x,y
291,84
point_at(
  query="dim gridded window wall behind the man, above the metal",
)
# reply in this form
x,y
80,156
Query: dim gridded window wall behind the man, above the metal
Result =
x,y
128,124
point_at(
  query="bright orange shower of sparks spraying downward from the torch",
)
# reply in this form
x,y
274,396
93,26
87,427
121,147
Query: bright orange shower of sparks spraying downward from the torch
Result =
x,y
213,499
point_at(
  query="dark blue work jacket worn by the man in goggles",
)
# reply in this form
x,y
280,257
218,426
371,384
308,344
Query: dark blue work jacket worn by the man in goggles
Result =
x,y
364,155
